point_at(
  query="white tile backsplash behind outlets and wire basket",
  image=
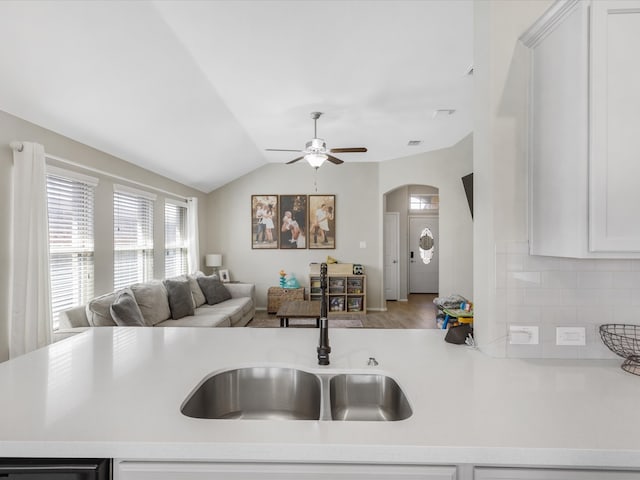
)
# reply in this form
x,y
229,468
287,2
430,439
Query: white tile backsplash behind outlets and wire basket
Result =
x,y
550,292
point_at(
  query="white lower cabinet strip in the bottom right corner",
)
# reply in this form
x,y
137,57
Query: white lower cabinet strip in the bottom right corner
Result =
x,y
551,474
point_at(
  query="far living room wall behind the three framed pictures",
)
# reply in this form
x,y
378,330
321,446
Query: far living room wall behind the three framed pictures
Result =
x,y
357,219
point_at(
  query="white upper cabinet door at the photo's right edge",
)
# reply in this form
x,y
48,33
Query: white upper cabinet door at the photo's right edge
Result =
x,y
614,209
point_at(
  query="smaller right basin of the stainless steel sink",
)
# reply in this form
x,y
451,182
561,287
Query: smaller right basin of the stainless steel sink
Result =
x,y
367,397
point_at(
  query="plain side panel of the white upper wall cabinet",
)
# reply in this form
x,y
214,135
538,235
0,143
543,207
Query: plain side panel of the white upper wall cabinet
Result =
x,y
558,150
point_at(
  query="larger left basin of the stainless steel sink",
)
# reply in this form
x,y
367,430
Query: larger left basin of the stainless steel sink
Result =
x,y
257,393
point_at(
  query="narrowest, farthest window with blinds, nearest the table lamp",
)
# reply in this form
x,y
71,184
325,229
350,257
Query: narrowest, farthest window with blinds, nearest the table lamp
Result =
x,y
176,251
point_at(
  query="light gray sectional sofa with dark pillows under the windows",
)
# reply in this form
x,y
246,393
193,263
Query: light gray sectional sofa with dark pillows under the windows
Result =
x,y
186,301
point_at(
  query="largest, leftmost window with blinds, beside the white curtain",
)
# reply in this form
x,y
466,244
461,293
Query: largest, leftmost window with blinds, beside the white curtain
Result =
x,y
70,203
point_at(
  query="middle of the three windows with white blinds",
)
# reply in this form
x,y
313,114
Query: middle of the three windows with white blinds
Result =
x,y
132,236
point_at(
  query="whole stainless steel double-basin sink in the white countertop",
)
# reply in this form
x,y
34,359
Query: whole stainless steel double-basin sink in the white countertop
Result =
x,y
277,393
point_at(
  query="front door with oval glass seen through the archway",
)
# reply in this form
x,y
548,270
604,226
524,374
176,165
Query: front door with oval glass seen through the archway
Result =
x,y
423,254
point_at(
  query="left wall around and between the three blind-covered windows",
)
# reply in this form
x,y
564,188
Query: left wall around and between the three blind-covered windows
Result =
x,y
13,128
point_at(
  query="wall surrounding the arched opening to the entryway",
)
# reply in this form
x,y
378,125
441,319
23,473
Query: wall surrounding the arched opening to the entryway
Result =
x,y
444,170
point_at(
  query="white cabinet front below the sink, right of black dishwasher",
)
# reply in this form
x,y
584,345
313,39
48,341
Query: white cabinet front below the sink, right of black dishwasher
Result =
x,y
136,470
